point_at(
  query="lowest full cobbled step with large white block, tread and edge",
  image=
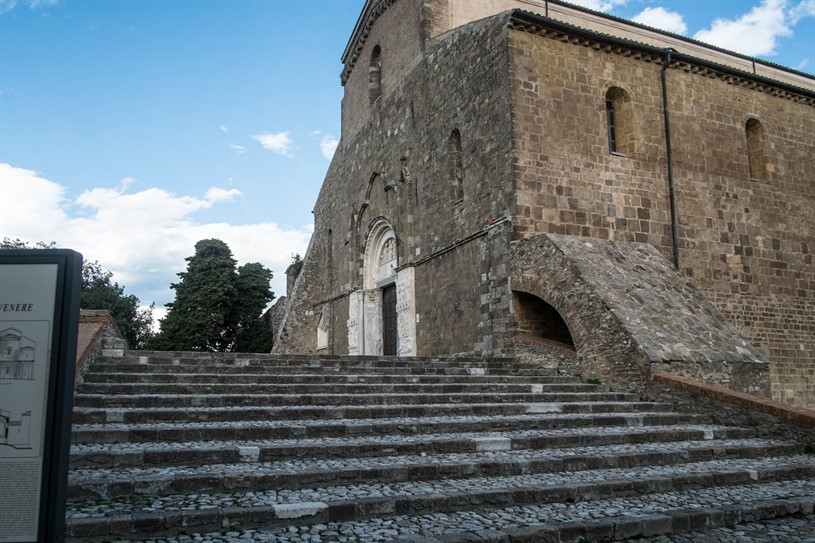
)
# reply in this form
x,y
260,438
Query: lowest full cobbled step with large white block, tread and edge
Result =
x,y
131,514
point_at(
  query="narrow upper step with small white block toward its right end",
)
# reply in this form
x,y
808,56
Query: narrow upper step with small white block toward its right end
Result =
x,y
306,390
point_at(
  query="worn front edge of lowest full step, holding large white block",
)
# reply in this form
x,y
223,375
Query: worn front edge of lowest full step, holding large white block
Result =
x,y
309,513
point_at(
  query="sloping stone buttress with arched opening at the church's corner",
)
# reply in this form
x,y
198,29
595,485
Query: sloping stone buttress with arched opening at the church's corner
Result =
x,y
630,313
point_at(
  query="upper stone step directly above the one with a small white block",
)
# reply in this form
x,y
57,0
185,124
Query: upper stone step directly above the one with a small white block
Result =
x,y
315,378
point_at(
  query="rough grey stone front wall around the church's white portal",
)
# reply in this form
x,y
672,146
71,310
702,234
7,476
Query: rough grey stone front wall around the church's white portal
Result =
x,y
398,170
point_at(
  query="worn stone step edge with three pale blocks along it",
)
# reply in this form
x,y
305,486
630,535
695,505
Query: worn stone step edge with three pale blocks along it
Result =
x,y
202,453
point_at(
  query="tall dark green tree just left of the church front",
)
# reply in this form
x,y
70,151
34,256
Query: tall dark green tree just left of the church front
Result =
x,y
216,307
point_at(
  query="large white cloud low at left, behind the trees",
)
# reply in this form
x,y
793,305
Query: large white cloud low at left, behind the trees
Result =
x,y
142,237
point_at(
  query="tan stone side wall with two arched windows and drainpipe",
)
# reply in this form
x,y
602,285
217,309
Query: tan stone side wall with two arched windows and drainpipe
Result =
x,y
744,239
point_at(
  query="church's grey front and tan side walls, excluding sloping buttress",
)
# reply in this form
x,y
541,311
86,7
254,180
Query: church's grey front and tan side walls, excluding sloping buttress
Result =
x,y
524,100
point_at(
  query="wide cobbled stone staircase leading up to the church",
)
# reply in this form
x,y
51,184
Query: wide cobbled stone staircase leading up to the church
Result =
x,y
295,449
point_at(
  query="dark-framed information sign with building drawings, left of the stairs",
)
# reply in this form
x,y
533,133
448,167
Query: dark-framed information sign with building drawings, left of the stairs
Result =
x,y
39,321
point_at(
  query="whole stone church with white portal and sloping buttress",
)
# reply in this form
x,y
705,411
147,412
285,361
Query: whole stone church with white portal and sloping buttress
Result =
x,y
528,178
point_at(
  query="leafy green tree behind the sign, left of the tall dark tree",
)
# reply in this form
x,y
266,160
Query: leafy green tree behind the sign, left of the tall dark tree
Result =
x,y
99,291
